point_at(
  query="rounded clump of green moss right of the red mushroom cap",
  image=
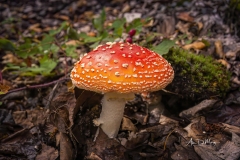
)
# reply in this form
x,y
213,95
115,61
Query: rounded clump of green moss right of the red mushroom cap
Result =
x,y
197,76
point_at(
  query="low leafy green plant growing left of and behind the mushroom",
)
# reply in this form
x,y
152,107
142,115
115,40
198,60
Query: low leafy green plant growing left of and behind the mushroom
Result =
x,y
41,57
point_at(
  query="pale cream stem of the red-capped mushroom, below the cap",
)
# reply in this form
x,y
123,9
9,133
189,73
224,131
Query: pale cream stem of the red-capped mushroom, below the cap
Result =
x,y
113,105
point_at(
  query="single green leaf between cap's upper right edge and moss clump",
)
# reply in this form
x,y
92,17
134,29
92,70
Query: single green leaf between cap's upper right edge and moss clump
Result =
x,y
164,47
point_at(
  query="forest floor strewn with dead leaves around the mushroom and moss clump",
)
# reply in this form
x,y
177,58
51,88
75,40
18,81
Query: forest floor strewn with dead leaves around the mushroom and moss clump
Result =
x,y
42,117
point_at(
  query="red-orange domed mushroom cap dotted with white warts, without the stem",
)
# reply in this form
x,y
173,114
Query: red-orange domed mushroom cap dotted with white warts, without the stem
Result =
x,y
122,67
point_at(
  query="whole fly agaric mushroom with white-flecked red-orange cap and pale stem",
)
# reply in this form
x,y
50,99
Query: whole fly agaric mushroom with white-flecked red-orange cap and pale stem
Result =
x,y
118,70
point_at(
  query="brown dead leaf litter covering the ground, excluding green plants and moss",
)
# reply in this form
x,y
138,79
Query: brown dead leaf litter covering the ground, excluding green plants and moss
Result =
x,y
209,129
